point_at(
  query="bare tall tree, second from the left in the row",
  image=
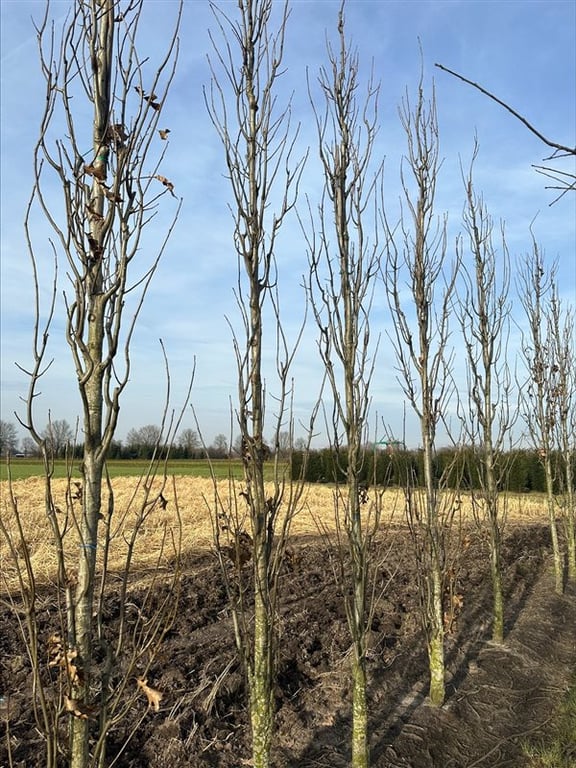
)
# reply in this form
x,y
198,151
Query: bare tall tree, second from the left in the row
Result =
x,y
257,139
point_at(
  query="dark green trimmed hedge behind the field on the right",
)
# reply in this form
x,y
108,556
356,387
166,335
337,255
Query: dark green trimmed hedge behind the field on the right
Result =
x,y
520,471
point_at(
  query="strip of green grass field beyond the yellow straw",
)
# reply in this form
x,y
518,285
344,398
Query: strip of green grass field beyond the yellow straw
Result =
x,y
21,469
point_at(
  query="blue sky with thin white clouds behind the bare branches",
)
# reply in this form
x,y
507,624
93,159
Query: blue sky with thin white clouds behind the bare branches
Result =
x,y
524,51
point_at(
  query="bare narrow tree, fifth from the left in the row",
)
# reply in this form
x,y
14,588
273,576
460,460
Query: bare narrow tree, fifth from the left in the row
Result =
x,y
484,314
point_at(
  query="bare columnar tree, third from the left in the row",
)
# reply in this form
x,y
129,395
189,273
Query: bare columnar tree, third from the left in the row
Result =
x,y
345,264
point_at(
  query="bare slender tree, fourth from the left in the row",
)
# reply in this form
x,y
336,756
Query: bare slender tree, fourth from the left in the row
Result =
x,y
417,257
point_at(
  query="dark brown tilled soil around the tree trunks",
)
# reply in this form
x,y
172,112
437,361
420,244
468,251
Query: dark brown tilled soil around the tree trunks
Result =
x,y
498,698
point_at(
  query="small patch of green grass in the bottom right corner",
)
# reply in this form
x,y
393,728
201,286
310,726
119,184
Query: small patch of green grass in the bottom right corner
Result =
x,y
557,748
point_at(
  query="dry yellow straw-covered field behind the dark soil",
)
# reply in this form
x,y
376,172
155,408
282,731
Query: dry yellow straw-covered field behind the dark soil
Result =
x,y
162,529
